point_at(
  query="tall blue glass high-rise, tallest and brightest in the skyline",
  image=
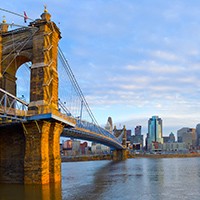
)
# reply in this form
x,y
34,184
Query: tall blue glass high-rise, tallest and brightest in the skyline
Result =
x,y
155,131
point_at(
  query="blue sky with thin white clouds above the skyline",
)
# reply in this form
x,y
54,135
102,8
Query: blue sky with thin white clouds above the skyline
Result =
x,y
132,59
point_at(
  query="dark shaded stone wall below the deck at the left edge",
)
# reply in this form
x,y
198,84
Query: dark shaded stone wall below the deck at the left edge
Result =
x,y
12,148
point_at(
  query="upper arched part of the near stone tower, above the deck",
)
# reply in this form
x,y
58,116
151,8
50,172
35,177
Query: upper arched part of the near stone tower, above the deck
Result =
x,y
38,44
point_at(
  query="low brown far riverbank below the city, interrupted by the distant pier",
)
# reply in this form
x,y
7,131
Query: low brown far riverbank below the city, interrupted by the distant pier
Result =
x,y
108,157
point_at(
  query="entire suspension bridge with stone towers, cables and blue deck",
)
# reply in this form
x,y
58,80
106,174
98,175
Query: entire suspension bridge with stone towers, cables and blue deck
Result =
x,y
30,131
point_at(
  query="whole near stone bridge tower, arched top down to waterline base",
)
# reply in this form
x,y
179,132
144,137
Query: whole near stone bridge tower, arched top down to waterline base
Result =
x,y
33,152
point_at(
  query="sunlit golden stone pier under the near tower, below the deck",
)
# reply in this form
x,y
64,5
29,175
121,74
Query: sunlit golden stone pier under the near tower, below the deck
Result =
x,y
42,160
